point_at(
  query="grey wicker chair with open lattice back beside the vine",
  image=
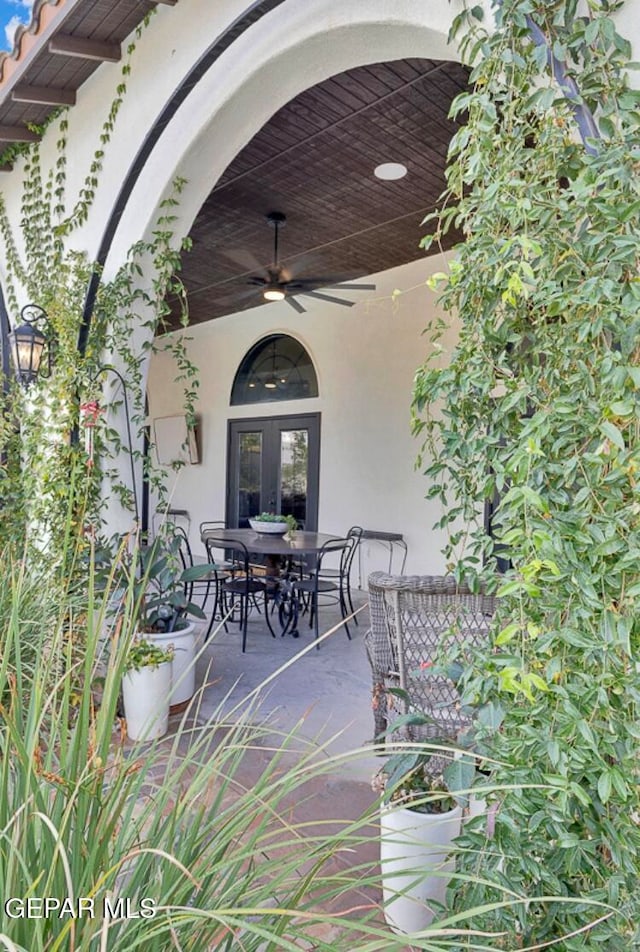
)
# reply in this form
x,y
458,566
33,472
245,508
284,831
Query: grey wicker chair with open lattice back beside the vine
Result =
x,y
416,620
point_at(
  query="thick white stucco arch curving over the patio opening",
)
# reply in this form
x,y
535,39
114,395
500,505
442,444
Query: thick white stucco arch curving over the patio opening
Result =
x,y
284,53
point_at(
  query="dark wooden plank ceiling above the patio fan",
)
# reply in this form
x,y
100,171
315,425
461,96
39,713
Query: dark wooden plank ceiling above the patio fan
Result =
x,y
314,162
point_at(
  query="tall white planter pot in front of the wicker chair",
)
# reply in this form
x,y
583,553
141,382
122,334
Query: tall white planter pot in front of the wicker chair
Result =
x,y
416,864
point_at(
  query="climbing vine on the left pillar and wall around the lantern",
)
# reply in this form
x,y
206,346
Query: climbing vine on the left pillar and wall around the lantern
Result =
x,y
74,420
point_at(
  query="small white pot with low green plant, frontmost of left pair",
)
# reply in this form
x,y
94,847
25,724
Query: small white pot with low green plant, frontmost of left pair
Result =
x,y
146,689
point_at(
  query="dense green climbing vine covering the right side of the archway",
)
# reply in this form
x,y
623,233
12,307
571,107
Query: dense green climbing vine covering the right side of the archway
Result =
x,y
538,406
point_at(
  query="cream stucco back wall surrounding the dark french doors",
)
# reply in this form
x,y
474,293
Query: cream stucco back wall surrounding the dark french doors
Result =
x,y
365,357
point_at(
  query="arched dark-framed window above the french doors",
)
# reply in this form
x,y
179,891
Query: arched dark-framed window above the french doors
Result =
x,y
276,368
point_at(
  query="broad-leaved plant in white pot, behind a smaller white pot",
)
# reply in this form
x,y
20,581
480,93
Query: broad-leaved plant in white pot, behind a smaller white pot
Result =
x,y
164,608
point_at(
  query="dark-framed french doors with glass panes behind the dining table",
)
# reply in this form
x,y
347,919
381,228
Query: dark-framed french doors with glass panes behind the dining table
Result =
x,y
274,466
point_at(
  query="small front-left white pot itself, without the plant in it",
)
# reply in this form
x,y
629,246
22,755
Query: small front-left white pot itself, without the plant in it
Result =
x,y
146,701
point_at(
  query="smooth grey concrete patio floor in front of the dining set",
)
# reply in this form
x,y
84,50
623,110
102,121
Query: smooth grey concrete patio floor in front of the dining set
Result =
x,y
328,689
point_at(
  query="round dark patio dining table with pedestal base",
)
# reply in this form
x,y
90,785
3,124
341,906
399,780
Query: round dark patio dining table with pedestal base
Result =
x,y
280,552
